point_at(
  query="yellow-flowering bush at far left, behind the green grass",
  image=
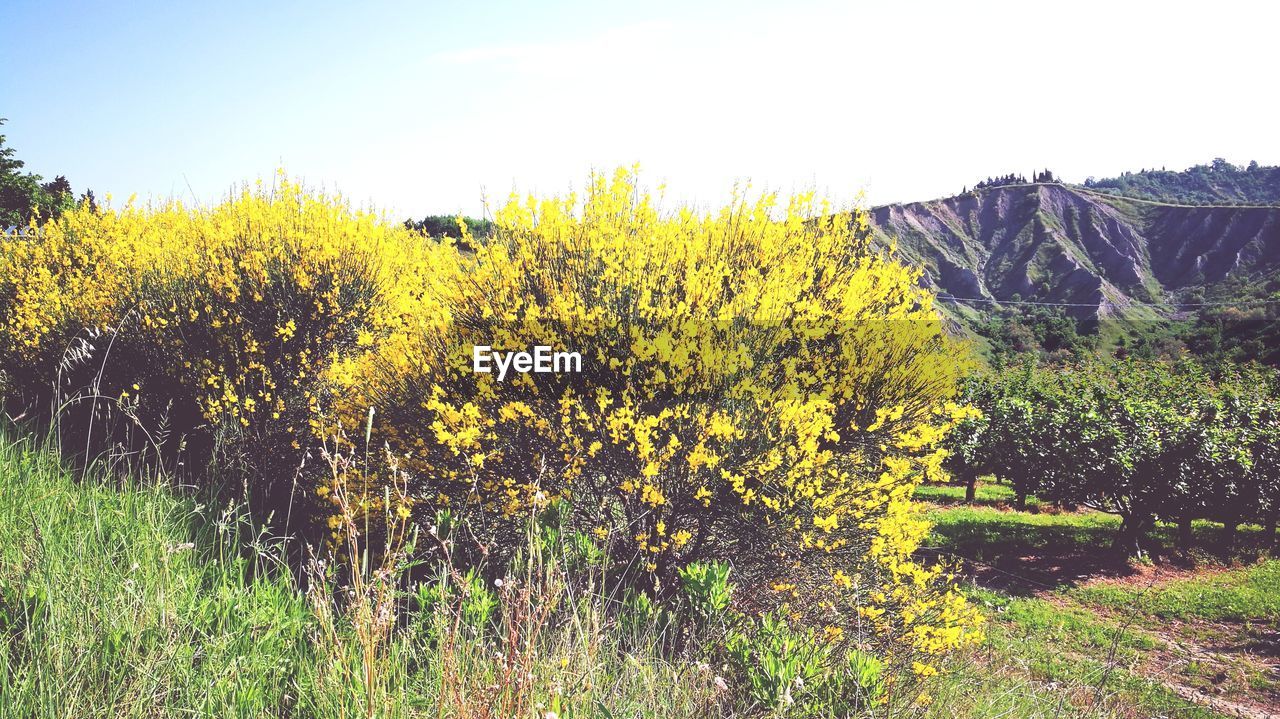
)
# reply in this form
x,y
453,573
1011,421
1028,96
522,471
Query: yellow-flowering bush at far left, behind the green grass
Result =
x,y
199,327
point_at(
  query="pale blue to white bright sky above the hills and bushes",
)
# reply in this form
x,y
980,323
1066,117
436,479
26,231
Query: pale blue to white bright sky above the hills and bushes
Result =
x,y
432,108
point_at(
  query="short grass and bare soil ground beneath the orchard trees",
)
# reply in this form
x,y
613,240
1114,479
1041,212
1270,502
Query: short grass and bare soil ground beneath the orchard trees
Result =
x,y
1080,630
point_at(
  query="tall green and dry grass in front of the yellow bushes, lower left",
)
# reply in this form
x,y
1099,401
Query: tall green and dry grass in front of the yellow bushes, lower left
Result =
x,y
121,598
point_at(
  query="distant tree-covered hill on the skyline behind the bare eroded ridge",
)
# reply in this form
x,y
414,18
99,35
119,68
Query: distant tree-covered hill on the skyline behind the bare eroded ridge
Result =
x,y
1217,184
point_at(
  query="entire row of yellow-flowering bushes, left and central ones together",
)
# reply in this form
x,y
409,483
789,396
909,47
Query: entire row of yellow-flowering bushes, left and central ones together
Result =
x,y
760,386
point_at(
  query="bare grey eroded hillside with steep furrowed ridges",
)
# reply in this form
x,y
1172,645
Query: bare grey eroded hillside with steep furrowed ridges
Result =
x,y
1050,242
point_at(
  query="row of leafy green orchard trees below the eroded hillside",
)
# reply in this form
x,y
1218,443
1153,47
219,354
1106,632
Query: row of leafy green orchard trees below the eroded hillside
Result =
x,y
1142,439
